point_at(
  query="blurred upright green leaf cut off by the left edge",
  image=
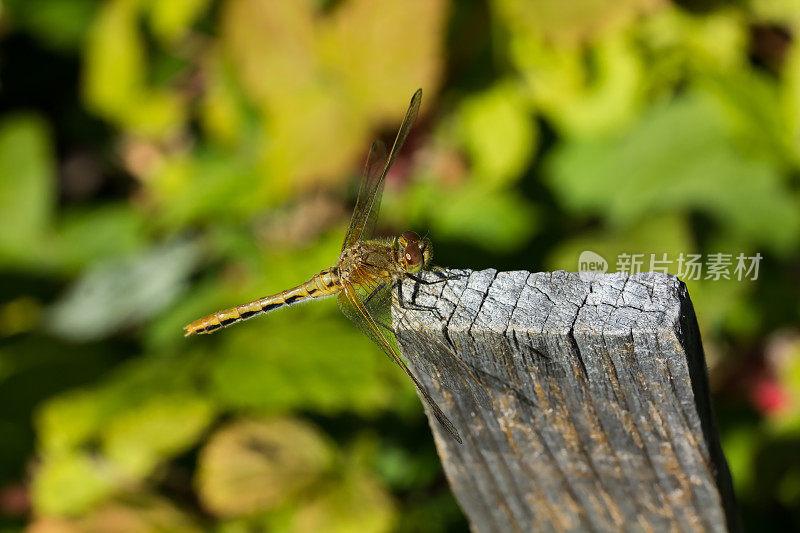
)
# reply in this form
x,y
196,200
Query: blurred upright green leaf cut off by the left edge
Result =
x,y
26,187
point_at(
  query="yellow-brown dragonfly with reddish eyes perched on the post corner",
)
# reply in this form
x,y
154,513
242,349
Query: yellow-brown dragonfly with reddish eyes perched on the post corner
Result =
x,y
367,272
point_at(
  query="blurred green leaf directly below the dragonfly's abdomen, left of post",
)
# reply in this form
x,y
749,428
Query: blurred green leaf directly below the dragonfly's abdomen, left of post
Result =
x,y
293,370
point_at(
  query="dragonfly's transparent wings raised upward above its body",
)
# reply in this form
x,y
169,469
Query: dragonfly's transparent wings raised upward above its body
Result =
x,y
368,203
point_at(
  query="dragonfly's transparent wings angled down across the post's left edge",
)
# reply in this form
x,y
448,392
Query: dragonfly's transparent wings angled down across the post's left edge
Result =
x,y
351,302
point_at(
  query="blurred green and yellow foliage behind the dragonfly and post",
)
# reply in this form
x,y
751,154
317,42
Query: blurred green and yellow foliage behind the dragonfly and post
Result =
x,y
160,160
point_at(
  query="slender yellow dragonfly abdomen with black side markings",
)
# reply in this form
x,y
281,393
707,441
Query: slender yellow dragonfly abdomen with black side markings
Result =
x,y
326,283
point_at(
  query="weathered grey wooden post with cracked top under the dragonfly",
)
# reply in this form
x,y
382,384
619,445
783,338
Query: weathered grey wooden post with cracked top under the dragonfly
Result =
x,y
589,408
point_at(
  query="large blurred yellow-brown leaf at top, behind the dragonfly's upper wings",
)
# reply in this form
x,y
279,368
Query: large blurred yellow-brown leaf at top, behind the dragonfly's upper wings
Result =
x,y
323,80
